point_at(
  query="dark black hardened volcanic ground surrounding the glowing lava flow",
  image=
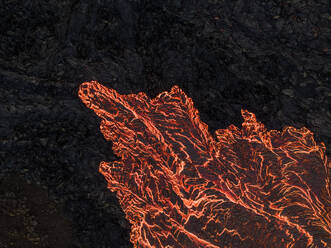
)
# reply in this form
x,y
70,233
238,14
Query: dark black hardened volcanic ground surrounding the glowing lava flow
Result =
x,y
270,57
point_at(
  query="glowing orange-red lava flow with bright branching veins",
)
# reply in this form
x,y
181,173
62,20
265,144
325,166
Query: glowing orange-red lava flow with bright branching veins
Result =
x,y
181,187
